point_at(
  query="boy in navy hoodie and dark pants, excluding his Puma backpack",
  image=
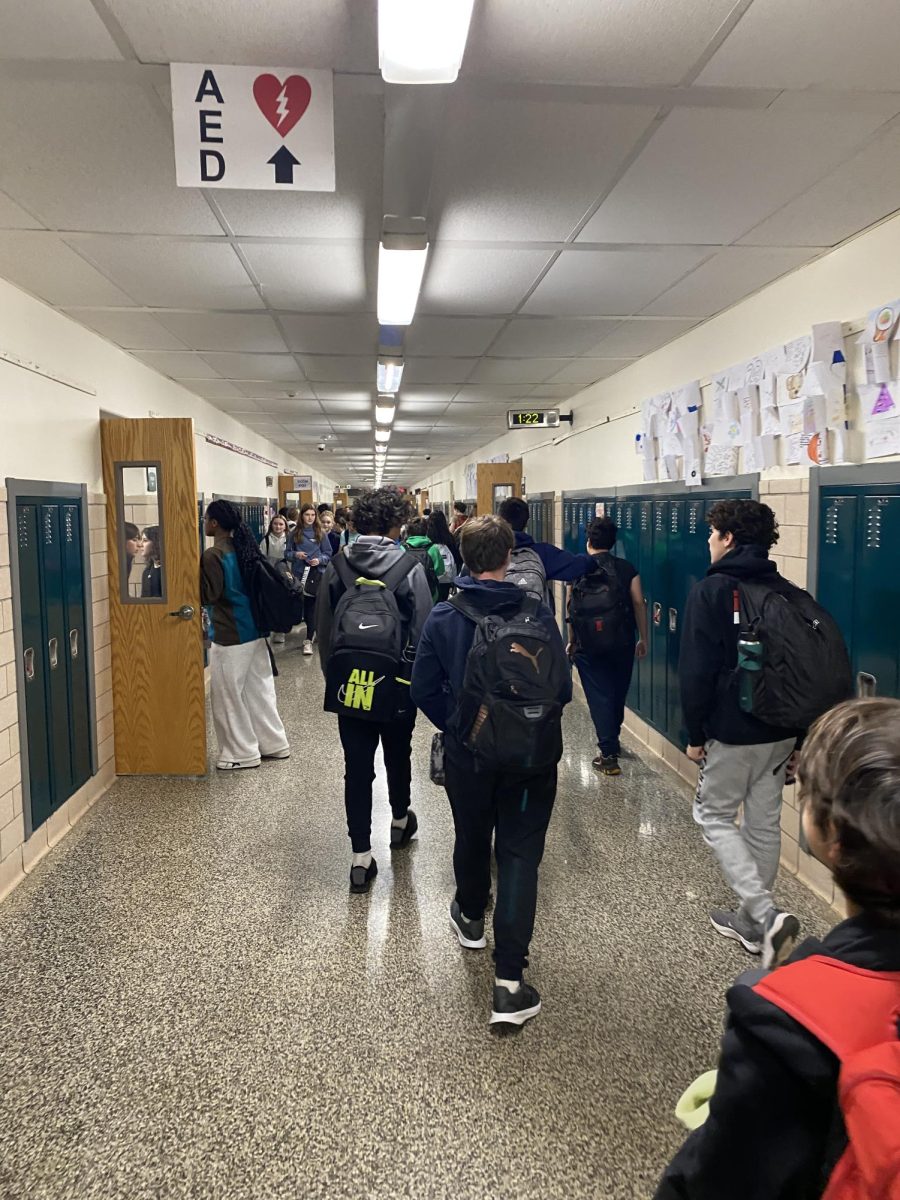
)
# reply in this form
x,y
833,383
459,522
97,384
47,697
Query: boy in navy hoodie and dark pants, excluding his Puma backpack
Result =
x,y
488,803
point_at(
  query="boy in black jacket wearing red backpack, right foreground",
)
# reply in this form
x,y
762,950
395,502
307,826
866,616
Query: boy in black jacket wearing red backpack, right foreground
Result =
x,y
808,1091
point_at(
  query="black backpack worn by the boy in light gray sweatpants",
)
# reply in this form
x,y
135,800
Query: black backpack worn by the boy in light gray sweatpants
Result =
x,y
803,669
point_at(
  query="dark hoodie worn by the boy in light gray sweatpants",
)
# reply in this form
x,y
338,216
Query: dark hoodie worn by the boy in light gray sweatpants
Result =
x,y
710,655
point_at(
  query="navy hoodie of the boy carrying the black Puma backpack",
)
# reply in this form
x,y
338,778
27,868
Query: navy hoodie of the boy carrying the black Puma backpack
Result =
x,y
447,640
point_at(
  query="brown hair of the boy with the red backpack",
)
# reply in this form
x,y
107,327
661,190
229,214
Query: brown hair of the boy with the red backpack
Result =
x,y
850,777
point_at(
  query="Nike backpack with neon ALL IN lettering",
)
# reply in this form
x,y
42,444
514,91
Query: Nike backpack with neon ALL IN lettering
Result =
x,y
369,668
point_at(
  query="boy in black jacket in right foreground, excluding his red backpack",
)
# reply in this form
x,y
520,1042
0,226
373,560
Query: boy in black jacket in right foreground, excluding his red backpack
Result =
x,y
775,1130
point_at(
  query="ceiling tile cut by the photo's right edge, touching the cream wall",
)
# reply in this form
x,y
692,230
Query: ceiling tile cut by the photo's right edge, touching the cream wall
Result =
x,y
838,206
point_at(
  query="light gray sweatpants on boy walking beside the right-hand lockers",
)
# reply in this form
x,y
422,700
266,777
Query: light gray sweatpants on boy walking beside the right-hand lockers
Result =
x,y
753,777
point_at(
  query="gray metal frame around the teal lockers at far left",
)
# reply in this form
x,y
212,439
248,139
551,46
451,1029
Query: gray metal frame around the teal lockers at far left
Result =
x,y
79,494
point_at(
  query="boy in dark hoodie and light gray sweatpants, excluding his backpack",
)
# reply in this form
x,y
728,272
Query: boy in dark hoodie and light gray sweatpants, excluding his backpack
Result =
x,y
743,761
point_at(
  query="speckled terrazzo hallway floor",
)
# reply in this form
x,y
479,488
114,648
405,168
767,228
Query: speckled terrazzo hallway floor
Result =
x,y
193,1005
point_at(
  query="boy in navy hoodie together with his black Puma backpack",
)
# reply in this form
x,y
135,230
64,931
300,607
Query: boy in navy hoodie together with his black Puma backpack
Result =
x,y
501,754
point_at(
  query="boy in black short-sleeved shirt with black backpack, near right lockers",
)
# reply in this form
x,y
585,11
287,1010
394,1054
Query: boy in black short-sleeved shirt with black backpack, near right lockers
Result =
x,y
607,613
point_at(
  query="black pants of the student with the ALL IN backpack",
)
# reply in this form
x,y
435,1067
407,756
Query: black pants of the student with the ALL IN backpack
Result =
x,y
361,741
